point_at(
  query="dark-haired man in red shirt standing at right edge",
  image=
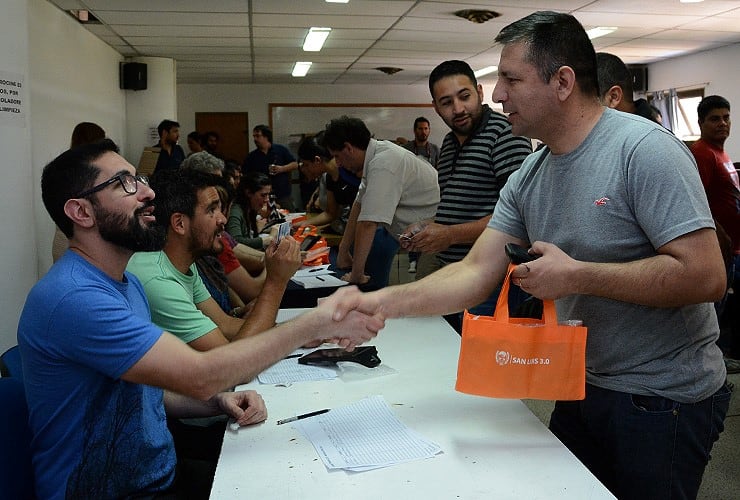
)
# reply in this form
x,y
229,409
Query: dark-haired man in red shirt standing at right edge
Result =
x,y
721,183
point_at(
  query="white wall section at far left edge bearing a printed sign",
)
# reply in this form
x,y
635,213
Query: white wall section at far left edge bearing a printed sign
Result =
x,y
17,244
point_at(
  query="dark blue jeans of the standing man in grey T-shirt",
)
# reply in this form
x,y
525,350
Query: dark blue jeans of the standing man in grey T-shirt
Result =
x,y
642,446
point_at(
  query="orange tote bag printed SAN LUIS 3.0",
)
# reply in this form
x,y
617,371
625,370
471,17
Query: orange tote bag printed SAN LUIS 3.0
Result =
x,y
521,358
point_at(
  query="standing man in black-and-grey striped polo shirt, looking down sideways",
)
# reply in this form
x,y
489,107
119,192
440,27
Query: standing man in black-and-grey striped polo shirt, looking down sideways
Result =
x,y
476,159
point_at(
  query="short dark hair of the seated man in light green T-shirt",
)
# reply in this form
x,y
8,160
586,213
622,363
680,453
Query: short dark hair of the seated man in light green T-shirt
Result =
x,y
177,192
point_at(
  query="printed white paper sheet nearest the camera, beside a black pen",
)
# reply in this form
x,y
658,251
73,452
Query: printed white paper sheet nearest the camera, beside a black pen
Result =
x,y
364,435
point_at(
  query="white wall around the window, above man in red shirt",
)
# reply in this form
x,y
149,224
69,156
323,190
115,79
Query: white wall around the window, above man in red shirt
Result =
x,y
720,68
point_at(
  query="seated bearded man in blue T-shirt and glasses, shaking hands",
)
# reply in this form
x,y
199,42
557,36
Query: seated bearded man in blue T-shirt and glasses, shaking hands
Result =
x,y
100,378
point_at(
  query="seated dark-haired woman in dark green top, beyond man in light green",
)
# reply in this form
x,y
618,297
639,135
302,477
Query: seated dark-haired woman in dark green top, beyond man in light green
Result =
x,y
248,214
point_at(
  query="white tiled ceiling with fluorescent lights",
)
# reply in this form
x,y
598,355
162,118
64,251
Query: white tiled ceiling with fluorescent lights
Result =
x,y
257,41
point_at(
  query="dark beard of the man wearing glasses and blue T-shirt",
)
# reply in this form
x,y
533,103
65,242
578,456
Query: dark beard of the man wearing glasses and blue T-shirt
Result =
x,y
128,232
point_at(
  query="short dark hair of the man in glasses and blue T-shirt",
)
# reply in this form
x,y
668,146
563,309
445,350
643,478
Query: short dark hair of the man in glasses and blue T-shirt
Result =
x,y
69,174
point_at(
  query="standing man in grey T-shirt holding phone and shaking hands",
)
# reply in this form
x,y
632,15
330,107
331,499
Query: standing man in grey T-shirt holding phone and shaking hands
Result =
x,y
615,211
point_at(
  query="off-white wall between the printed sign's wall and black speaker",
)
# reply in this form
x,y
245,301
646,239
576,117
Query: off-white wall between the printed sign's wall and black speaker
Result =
x,y
74,78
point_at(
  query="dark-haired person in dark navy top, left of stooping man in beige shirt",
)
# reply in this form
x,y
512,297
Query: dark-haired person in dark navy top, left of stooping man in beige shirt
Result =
x,y
341,186
